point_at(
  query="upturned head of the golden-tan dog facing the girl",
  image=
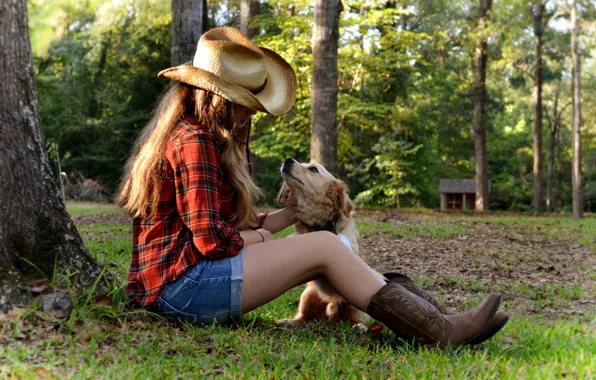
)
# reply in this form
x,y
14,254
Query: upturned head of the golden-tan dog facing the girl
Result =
x,y
313,192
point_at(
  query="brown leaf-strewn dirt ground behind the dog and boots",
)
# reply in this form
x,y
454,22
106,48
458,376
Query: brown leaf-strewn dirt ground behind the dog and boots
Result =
x,y
536,272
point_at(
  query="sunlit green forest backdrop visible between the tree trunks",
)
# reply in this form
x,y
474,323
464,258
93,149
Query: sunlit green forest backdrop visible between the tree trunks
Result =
x,y
405,93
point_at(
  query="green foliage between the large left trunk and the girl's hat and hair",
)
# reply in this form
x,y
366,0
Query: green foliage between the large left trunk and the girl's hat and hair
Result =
x,y
93,87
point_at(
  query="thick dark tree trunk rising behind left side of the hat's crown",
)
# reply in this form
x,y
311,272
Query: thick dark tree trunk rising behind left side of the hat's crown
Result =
x,y
189,22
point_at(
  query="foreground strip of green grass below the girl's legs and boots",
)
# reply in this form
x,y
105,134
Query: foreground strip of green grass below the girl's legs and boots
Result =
x,y
139,347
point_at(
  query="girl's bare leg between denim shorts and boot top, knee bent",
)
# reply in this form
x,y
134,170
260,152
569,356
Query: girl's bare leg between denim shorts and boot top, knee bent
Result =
x,y
274,267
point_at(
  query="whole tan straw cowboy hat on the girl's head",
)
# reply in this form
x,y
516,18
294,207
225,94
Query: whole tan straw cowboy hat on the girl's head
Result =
x,y
230,65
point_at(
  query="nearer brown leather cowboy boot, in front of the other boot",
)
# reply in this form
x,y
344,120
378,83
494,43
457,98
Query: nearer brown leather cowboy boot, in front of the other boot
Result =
x,y
407,314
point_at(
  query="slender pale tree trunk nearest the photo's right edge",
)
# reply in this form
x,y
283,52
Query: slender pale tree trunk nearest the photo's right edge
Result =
x,y
576,142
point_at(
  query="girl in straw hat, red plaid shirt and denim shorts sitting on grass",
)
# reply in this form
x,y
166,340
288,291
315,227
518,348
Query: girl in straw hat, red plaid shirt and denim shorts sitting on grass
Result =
x,y
199,251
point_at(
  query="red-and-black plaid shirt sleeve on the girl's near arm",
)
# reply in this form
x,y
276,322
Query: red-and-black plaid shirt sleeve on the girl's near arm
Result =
x,y
198,175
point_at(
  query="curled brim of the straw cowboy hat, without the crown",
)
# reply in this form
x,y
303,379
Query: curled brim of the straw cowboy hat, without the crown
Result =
x,y
277,96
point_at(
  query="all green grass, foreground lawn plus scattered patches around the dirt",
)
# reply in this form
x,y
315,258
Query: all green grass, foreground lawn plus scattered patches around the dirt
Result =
x,y
112,340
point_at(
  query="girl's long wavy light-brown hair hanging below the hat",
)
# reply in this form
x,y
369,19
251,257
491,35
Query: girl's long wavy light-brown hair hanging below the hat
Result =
x,y
141,184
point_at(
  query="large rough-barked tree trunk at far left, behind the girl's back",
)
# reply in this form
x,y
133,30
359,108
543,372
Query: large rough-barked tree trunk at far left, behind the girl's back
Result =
x,y
36,232
